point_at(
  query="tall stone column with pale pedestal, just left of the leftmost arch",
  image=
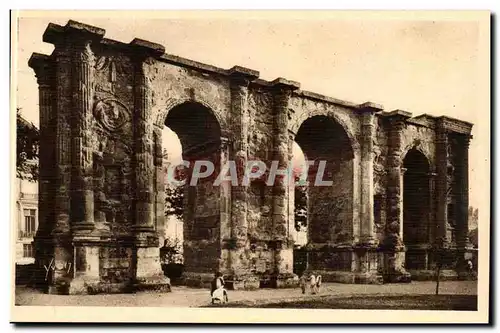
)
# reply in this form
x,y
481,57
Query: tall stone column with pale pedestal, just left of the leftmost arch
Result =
x,y
148,272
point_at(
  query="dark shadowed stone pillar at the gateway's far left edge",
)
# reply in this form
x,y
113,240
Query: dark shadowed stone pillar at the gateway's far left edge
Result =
x,y
44,69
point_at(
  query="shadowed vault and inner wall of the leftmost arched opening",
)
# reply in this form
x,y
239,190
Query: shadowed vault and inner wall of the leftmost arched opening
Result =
x,y
199,134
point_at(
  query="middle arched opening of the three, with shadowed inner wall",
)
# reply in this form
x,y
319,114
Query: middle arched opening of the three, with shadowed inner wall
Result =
x,y
329,153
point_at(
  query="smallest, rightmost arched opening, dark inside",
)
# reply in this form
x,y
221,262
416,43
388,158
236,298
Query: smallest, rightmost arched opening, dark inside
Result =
x,y
416,208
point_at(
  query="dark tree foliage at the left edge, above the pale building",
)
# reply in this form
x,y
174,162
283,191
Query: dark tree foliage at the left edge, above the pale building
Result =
x,y
27,145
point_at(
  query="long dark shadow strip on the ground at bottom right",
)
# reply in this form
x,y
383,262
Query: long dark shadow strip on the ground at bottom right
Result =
x,y
379,302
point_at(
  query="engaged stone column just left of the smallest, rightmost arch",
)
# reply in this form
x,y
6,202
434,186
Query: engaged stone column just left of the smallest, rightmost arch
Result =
x,y
395,256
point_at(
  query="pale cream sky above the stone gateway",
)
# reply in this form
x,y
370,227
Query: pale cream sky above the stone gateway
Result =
x,y
421,66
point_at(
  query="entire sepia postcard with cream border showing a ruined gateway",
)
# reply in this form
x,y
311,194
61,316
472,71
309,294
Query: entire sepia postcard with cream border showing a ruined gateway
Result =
x,y
306,166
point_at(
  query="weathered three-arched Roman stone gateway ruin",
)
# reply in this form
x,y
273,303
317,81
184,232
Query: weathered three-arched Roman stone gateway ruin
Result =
x,y
397,179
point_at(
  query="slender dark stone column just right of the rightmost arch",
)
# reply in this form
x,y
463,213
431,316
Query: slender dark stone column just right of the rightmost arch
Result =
x,y
442,183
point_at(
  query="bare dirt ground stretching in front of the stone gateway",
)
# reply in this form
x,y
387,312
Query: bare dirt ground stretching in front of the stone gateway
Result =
x,y
330,296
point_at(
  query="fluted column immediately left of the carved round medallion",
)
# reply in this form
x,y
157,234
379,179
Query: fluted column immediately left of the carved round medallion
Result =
x,y
82,194
